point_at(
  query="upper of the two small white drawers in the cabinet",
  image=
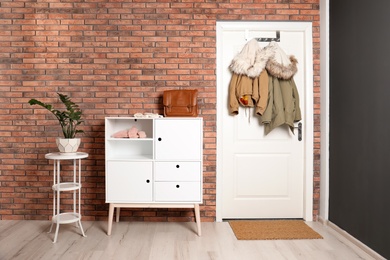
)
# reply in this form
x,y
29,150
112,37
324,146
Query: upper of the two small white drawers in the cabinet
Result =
x,y
177,171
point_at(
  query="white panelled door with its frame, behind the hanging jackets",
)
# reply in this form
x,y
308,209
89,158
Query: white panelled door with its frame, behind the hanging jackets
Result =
x,y
264,176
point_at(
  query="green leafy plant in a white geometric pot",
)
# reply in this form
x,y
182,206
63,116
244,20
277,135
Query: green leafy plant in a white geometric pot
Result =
x,y
69,120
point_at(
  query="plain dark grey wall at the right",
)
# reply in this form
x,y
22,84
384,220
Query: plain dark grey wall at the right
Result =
x,y
360,120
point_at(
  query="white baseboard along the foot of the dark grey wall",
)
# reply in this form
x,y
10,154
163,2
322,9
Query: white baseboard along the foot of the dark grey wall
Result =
x,y
350,240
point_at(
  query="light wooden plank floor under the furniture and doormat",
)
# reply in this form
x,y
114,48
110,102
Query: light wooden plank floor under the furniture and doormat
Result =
x,y
142,240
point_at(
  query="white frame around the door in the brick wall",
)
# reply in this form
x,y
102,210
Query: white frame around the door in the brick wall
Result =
x,y
308,128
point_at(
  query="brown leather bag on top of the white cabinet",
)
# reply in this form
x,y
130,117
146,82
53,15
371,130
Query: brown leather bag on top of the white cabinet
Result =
x,y
181,102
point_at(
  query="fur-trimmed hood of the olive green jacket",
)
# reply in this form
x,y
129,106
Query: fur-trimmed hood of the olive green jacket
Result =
x,y
280,65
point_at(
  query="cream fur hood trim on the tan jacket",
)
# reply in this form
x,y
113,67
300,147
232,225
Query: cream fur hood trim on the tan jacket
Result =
x,y
252,59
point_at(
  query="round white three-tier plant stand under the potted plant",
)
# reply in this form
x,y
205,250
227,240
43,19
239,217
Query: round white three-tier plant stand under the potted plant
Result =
x,y
58,186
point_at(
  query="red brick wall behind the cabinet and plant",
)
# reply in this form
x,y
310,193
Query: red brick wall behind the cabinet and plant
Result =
x,y
113,58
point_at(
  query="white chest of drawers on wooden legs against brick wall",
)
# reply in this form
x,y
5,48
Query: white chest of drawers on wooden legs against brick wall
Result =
x,y
161,170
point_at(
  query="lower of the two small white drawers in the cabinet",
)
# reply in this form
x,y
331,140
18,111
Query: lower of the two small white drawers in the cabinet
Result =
x,y
177,192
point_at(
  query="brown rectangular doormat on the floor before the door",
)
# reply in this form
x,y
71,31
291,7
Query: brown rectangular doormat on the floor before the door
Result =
x,y
272,230
